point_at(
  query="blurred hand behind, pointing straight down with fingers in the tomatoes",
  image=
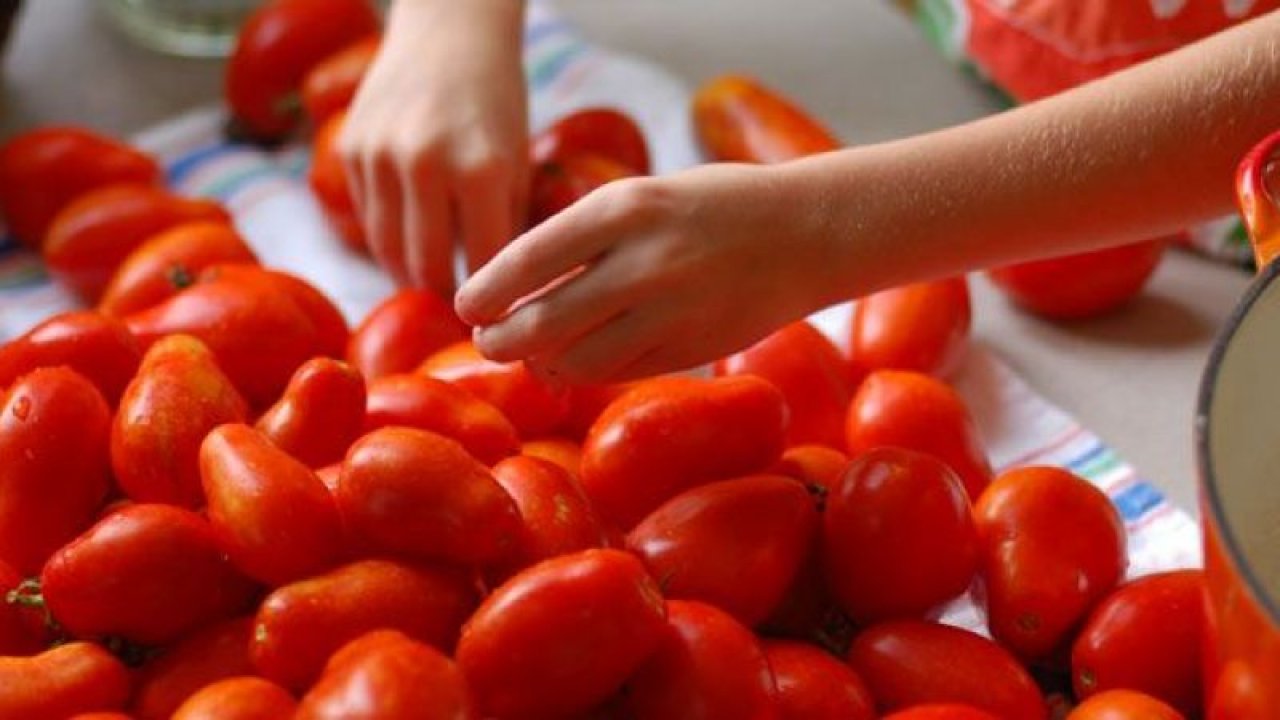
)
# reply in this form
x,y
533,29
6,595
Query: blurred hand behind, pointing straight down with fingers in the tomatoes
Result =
x,y
436,143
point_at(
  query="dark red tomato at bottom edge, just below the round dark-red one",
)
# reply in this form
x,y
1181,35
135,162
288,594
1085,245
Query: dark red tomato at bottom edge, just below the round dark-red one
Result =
x,y
909,663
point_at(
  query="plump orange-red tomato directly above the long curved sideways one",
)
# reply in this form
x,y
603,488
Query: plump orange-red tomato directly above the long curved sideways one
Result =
x,y
420,495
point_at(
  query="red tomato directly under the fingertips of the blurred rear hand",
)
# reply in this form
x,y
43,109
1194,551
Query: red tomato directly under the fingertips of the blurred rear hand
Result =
x,y
403,331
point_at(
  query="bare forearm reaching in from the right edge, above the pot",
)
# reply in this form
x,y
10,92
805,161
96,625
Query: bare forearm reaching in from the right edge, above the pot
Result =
x,y
1140,154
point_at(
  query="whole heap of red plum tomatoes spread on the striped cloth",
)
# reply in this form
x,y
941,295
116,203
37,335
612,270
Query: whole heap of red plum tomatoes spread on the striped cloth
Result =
x,y
217,500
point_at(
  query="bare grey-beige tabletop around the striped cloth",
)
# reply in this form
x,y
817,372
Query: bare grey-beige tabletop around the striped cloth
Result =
x,y
1131,377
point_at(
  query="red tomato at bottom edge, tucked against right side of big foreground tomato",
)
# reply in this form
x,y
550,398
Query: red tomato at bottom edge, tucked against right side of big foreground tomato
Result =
x,y
707,666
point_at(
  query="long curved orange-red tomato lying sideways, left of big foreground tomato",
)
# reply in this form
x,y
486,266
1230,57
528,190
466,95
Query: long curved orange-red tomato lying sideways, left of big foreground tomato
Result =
x,y
301,625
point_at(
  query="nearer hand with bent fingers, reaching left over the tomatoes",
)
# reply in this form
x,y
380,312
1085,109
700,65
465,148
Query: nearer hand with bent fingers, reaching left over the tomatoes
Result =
x,y
653,275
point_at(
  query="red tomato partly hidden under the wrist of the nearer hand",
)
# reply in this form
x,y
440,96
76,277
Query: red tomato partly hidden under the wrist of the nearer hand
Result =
x,y
812,376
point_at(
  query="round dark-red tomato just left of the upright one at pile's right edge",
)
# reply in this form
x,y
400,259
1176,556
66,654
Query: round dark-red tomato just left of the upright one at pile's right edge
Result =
x,y
898,536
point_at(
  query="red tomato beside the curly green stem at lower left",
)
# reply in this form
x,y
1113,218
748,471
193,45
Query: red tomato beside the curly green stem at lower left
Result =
x,y
147,573
